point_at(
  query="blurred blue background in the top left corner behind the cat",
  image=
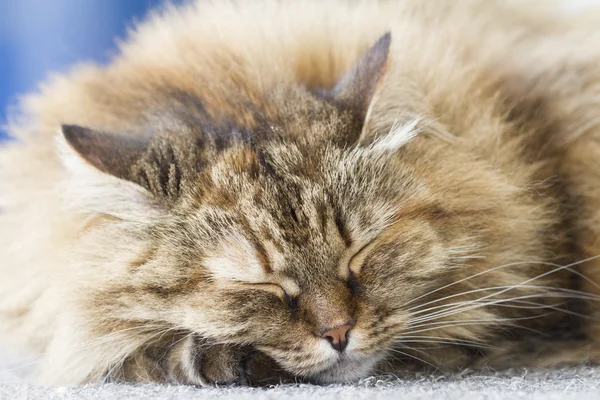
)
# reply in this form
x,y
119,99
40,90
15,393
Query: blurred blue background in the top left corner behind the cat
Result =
x,y
42,36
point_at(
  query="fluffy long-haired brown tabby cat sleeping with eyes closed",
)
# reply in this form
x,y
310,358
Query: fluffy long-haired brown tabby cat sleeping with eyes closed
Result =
x,y
274,191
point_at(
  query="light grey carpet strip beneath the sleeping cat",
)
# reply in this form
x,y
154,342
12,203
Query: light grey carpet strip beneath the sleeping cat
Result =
x,y
570,383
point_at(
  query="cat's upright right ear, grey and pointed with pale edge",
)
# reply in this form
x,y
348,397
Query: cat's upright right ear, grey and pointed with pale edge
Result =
x,y
357,89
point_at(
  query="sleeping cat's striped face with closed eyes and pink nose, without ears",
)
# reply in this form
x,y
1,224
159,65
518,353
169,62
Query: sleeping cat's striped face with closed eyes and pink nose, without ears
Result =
x,y
283,258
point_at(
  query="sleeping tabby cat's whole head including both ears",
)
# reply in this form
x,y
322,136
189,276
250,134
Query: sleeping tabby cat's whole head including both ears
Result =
x,y
298,235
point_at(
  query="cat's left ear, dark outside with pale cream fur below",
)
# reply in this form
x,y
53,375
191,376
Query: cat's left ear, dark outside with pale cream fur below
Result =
x,y
99,173
